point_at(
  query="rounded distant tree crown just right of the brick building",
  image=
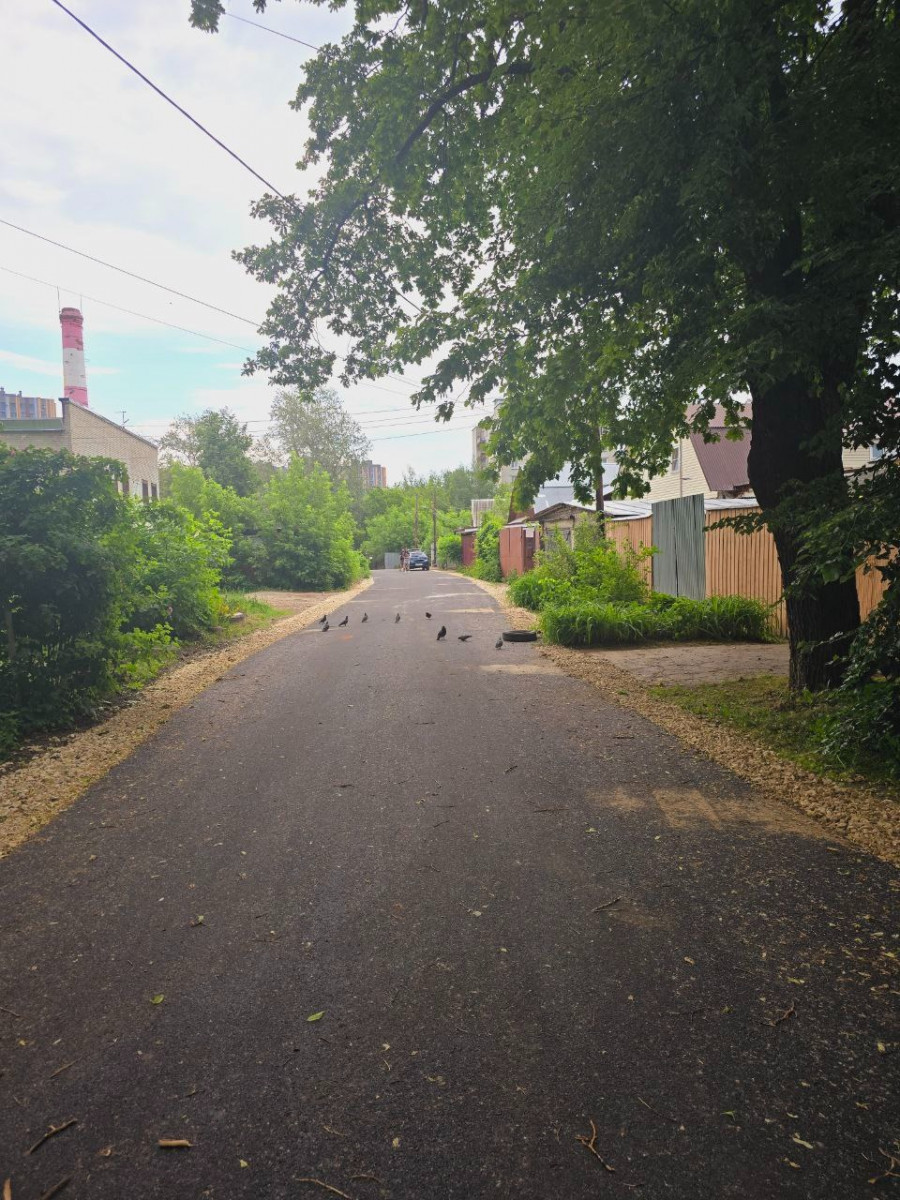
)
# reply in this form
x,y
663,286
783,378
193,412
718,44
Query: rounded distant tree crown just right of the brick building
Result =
x,y
218,443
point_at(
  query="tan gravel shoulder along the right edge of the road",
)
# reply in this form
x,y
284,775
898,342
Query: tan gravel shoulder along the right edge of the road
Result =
x,y
861,814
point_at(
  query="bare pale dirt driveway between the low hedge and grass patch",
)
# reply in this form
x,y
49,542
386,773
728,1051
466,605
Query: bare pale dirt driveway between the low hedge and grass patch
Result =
x,y
701,662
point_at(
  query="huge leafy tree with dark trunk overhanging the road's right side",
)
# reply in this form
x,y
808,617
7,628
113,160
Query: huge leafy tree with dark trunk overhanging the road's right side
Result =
x,y
609,213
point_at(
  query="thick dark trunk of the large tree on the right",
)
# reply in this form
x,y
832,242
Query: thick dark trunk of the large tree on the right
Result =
x,y
796,443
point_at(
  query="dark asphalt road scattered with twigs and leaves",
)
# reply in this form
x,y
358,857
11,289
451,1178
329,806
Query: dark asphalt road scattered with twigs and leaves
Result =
x,y
519,909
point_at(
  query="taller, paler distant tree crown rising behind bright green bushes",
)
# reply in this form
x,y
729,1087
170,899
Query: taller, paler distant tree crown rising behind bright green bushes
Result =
x,y
317,429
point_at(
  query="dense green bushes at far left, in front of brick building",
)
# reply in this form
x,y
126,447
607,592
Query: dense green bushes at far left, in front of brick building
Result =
x,y
93,587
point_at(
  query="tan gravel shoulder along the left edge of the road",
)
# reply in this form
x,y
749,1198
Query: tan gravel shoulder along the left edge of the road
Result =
x,y
34,793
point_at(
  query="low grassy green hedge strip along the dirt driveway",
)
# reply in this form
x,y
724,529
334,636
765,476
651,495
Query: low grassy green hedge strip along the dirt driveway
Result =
x,y
603,623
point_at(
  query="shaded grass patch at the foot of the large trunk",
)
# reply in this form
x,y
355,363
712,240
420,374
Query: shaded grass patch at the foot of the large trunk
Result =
x,y
764,709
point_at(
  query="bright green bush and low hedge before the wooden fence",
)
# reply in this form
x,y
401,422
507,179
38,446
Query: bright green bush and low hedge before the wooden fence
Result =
x,y
595,593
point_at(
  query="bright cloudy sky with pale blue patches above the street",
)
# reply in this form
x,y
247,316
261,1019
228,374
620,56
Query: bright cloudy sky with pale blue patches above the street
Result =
x,y
95,160
